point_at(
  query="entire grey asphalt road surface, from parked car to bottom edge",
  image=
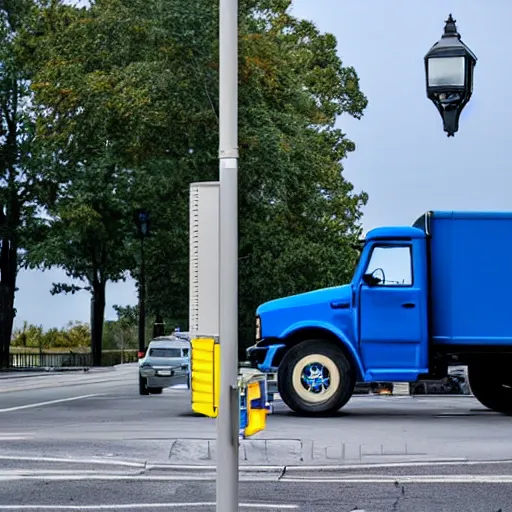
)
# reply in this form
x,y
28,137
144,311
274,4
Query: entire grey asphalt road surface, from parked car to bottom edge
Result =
x,y
90,440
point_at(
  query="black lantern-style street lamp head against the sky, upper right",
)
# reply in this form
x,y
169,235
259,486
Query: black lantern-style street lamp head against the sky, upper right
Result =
x,y
449,66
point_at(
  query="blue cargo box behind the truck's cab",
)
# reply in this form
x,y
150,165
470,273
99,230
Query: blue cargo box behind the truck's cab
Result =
x,y
470,278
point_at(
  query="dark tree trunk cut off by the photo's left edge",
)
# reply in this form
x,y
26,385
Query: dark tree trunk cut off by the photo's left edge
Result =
x,y
8,270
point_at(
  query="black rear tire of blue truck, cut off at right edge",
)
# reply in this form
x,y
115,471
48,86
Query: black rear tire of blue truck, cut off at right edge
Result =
x,y
491,386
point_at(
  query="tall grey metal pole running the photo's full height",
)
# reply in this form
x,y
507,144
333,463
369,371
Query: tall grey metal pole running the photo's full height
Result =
x,y
228,418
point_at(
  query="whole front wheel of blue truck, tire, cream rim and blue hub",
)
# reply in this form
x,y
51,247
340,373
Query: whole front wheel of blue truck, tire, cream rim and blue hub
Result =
x,y
315,377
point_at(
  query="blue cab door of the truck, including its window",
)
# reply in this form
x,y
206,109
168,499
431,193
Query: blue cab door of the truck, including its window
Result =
x,y
393,311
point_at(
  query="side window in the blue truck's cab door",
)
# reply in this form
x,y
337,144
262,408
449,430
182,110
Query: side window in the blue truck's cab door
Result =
x,y
393,264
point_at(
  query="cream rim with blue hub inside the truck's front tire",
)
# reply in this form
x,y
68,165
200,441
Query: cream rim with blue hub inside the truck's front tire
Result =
x,y
315,393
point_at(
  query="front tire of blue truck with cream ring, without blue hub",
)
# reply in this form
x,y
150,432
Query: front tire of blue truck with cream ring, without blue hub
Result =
x,y
290,376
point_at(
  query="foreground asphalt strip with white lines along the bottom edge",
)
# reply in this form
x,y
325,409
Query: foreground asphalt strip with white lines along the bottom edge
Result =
x,y
422,489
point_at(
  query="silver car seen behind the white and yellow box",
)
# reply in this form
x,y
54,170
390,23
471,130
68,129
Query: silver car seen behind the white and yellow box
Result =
x,y
165,363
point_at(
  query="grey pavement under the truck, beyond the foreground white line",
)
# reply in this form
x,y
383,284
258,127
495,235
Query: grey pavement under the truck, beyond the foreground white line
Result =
x,y
102,414
